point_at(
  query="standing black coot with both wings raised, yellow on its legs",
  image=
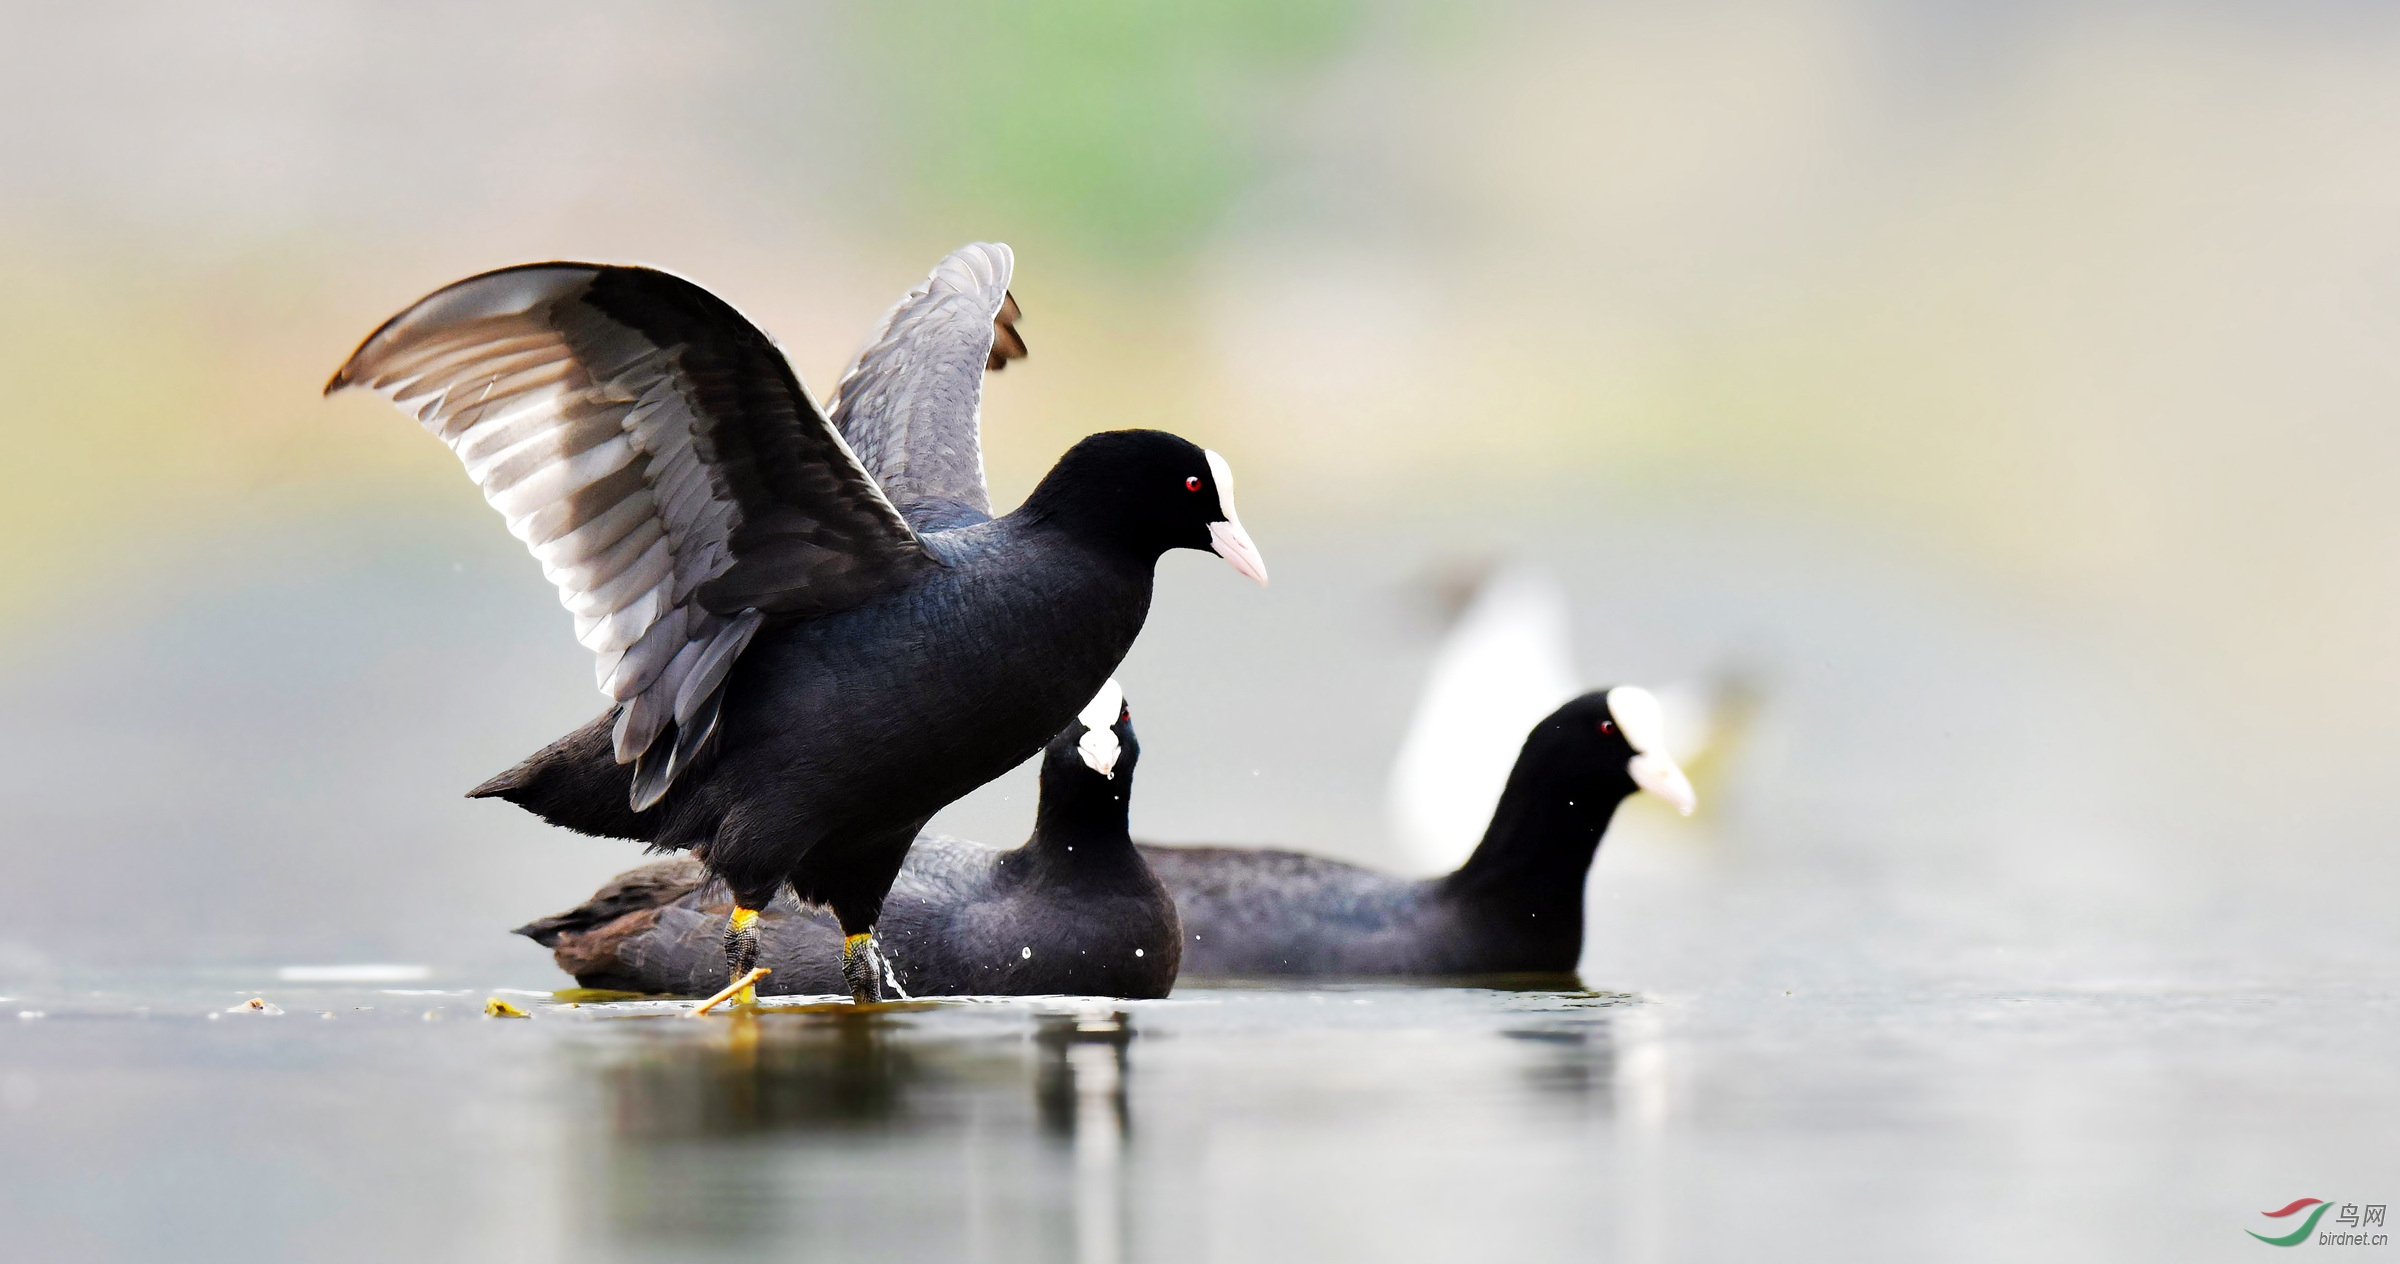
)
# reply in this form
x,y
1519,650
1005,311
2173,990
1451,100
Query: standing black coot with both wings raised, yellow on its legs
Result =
x,y
812,632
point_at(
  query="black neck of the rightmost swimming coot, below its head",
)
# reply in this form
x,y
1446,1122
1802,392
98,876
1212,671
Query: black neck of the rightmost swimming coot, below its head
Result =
x,y
1540,848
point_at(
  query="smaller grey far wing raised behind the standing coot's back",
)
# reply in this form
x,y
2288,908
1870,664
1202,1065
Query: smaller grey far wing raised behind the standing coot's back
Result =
x,y
913,404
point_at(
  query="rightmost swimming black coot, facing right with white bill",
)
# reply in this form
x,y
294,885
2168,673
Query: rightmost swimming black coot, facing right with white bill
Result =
x,y
1513,908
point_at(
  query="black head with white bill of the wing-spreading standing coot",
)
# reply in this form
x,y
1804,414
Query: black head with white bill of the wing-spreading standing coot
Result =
x,y
1151,493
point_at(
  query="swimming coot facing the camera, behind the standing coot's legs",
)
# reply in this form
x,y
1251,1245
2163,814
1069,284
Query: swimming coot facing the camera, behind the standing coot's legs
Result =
x,y
1072,913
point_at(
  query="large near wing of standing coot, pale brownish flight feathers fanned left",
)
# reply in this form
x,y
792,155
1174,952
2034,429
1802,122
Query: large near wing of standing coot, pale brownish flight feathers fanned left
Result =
x,y
664,464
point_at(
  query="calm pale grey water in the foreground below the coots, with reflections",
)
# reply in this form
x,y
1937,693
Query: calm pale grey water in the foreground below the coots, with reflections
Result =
x,y
1223,1124
